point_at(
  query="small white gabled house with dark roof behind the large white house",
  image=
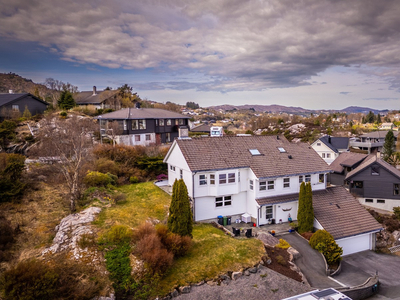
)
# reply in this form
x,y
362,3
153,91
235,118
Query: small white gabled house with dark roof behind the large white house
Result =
x,y
329,147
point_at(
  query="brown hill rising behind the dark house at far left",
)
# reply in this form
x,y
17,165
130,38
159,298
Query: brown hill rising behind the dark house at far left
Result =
x,y
18,84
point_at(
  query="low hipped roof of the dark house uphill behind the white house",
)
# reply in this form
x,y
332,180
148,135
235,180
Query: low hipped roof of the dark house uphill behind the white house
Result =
x,y
142,113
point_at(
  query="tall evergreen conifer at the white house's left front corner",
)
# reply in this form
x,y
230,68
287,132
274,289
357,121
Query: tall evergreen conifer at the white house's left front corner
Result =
x,y
180,220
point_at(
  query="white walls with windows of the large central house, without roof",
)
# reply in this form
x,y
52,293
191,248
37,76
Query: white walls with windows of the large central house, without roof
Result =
x,y
234,191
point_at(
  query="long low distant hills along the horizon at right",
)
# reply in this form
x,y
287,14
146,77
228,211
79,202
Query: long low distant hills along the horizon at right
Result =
x,y
274,108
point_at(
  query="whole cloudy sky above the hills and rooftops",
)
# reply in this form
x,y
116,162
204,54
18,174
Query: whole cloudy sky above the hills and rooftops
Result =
x,y
315,54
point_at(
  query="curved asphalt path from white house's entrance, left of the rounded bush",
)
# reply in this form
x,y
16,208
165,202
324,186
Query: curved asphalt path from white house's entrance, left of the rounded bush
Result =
x,y
310,262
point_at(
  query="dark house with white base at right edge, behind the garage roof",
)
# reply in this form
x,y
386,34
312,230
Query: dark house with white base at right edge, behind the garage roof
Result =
x,y
376,183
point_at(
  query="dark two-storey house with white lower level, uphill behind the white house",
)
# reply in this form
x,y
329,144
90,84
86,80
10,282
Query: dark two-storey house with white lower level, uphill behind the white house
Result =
x,y
143,126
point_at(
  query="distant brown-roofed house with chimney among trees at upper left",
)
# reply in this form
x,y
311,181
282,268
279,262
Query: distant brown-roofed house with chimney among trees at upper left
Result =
x,y
100,99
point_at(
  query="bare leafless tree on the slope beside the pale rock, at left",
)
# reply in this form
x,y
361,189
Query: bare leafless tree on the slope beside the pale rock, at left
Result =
x,y
68,142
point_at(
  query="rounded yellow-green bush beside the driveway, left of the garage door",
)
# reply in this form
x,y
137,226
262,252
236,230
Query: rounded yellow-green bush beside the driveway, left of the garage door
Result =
x,y
325,243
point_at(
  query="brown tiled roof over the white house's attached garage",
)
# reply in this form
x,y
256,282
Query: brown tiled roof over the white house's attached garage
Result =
x,y
341,214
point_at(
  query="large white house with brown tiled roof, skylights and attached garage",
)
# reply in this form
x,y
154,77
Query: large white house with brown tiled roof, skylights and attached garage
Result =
x,y
257,177
